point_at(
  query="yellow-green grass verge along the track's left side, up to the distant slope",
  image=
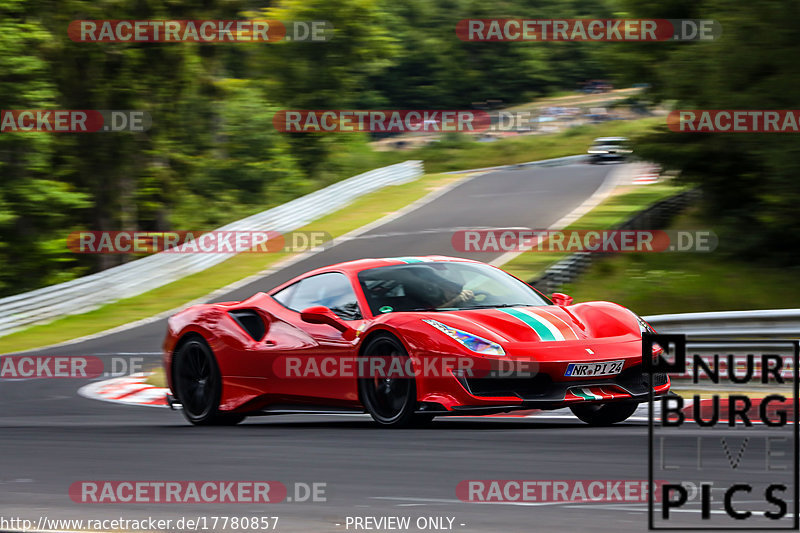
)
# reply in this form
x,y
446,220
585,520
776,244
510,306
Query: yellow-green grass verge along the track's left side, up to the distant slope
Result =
x,y
438,157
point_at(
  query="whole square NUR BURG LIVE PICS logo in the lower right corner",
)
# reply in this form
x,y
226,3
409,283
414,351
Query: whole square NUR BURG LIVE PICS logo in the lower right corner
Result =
x,y
727,458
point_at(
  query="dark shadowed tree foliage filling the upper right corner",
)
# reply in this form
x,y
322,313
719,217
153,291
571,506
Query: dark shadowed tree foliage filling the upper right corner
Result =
x,y
749,180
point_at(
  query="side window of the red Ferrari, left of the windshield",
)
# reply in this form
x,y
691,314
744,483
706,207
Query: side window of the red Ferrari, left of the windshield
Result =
x,y
332,289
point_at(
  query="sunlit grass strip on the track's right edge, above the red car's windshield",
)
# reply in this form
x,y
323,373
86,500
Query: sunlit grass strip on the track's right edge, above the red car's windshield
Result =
x,y
626,201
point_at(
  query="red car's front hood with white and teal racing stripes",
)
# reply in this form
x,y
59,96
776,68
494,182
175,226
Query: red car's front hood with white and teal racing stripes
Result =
x,y
545,324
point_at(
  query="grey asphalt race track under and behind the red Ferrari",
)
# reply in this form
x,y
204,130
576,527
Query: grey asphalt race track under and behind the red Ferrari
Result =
x,y
51,437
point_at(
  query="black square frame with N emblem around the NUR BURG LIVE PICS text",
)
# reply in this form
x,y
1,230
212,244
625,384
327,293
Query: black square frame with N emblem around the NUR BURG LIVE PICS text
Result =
x,y
675,345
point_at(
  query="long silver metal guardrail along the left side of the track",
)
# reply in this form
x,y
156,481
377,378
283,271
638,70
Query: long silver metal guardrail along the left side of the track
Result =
x,y
90,292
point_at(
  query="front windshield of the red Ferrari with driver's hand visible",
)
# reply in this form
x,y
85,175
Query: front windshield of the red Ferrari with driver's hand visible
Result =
x,y
443,286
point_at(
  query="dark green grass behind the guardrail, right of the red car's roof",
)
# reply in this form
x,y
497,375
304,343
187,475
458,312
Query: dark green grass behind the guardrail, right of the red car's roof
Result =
x,y
657,283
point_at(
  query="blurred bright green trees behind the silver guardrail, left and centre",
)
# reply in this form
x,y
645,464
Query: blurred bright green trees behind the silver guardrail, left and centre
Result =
x,y
212,154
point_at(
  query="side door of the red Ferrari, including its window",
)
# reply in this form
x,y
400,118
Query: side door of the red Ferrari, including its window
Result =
x,y
325,368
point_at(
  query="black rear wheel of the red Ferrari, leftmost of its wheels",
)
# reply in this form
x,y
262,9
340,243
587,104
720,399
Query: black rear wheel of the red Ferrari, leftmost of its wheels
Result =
x,y
197,385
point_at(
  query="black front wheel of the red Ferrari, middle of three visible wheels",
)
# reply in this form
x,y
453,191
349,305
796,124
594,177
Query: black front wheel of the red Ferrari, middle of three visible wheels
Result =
x,y
392,402
